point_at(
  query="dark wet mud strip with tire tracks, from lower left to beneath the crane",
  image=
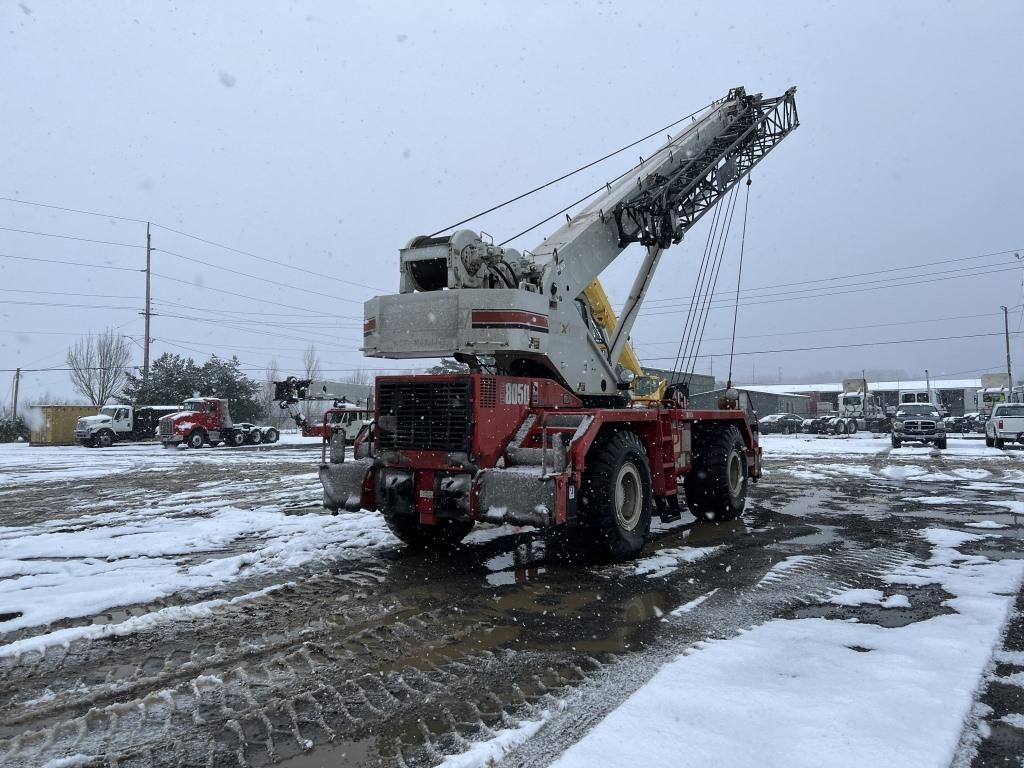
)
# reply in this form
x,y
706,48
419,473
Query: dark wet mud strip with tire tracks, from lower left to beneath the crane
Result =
x,y
398,661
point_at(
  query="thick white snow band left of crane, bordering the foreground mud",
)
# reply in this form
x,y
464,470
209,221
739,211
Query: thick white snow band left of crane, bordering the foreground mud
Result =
x,y
74,569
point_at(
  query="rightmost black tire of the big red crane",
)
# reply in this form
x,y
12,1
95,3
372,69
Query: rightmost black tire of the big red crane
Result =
x,y
716,485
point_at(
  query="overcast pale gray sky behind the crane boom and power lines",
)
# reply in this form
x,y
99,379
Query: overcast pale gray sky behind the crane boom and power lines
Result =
x,y
321,137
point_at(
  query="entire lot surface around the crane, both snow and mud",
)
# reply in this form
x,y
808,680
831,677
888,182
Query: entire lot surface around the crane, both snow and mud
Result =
x,y
196,608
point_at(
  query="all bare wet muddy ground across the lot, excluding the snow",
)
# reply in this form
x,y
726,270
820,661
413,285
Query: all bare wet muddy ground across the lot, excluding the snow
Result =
x,y
396,658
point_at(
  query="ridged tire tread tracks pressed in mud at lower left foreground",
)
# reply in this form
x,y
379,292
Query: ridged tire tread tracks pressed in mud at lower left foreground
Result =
x,y
357,654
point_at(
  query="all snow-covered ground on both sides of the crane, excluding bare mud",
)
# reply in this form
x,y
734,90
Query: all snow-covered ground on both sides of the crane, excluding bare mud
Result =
x,y
183,535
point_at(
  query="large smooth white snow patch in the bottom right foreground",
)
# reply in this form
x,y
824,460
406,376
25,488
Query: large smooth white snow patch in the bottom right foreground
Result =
x,y
818,692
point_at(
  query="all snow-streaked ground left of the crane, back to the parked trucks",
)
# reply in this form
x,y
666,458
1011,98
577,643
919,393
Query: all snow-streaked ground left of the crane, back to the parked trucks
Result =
x,y
135,545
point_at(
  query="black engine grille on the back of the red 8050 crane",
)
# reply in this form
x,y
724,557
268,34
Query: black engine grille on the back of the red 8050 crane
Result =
x,y
425,416
